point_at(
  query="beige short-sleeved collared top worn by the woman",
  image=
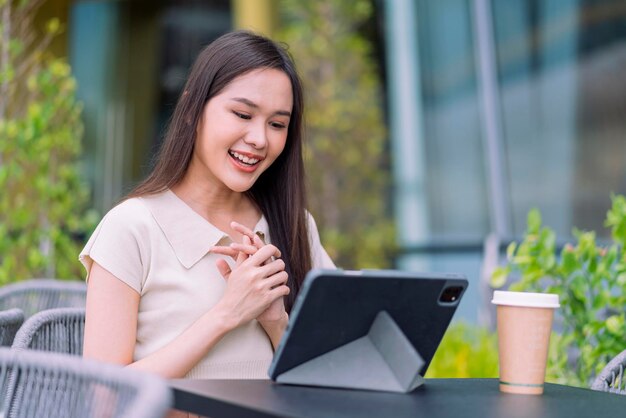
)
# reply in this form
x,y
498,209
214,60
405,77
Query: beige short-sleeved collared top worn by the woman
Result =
x,y
159,246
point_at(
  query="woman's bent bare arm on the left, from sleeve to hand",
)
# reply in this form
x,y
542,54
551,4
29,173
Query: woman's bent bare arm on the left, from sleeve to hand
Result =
x,y
111,317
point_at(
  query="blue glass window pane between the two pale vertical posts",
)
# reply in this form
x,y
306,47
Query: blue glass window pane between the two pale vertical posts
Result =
x,y
455,175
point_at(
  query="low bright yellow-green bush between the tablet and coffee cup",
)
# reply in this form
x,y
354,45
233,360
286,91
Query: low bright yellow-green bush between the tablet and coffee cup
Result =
x,y
465,351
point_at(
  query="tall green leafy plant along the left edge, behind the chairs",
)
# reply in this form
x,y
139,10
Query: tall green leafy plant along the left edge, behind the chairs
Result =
x,y
43,204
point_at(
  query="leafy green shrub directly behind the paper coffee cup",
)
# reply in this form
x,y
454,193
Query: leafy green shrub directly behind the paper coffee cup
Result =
x,y
590,280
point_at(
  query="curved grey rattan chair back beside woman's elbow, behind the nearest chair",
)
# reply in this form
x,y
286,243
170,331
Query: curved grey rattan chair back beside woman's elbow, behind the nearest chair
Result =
x,y
58,330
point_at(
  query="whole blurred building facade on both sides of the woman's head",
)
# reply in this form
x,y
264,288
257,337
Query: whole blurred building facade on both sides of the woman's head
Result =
x,y
494,107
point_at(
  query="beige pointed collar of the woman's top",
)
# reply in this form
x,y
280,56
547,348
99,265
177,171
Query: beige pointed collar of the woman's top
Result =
x,y
189,234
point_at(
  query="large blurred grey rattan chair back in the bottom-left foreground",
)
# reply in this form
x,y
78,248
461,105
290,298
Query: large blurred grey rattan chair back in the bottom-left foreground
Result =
x,y
36,384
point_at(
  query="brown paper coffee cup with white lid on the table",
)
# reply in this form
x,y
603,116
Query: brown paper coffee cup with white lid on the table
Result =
x,y
524,326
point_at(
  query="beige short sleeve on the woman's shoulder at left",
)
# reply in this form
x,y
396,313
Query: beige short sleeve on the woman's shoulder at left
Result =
x,y
120,244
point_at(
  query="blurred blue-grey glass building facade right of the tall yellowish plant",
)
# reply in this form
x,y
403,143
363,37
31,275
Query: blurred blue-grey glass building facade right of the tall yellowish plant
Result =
x,y
497,107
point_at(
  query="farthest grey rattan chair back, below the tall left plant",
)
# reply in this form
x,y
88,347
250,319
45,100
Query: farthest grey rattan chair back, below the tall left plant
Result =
x,y
35,295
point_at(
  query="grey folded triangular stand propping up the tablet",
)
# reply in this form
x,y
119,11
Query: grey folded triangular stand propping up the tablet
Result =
x,y
384,360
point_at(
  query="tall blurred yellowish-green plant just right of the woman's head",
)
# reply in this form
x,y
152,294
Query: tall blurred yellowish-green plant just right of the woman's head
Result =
x,y
346,137
